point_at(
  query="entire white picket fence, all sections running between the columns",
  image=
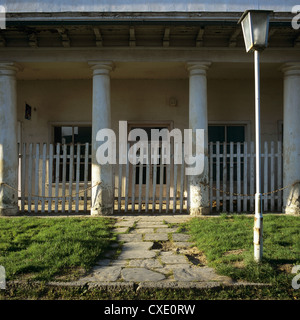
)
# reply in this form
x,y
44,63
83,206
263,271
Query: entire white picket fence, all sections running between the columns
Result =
x,y
56,178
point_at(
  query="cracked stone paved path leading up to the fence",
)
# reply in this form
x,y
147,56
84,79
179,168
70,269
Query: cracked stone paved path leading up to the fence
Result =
x,y
155,254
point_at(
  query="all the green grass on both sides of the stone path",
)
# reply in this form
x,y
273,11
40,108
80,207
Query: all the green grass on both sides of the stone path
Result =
x,y
65,248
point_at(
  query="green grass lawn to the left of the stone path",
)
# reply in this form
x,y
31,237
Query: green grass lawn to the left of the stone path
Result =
x,y
44,248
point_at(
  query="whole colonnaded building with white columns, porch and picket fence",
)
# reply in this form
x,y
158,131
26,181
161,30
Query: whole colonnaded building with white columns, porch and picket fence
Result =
x,y
70,68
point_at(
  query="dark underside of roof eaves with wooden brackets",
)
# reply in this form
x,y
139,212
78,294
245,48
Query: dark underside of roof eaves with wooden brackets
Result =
x,y
102,33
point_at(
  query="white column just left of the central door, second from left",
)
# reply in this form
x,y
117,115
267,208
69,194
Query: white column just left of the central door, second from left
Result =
x,y
102,195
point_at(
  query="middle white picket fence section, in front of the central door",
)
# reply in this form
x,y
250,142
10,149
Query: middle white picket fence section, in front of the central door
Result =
x,y
151,187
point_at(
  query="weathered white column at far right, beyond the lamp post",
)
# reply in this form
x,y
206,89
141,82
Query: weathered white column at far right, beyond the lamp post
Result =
x,y
291,138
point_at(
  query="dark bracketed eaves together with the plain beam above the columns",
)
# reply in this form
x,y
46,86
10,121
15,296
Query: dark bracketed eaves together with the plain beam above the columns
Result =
x,y
141,49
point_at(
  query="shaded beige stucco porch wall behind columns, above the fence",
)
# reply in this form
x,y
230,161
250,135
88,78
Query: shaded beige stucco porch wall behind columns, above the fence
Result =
x,y
70,101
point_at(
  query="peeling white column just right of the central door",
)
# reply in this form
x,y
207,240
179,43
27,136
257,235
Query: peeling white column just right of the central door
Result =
x,y
199,193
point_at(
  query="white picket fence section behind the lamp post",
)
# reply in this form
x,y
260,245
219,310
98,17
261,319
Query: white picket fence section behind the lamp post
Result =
x,y
232,176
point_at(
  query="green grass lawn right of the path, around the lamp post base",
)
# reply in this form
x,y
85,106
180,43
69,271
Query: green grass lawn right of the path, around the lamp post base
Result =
x,y
227,242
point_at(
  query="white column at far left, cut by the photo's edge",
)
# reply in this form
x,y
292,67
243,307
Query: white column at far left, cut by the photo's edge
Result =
x,y
8,139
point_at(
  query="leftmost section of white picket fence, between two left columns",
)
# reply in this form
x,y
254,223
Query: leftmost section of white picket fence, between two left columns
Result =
x,y
44,178
